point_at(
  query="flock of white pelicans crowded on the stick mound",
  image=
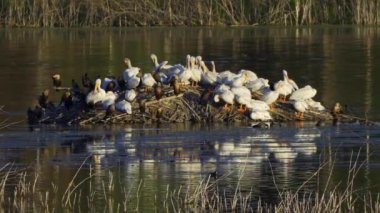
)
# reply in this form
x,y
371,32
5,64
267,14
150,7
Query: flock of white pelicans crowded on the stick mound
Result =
x,y
240,91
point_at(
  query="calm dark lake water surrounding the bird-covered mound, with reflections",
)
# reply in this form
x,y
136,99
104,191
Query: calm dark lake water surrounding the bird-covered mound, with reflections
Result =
x,y
342,63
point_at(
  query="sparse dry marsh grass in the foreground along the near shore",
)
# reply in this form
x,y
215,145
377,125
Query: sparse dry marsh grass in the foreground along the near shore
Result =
x,y
20,193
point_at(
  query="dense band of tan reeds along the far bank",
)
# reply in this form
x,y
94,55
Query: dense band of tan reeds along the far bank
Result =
x,y
74,13
